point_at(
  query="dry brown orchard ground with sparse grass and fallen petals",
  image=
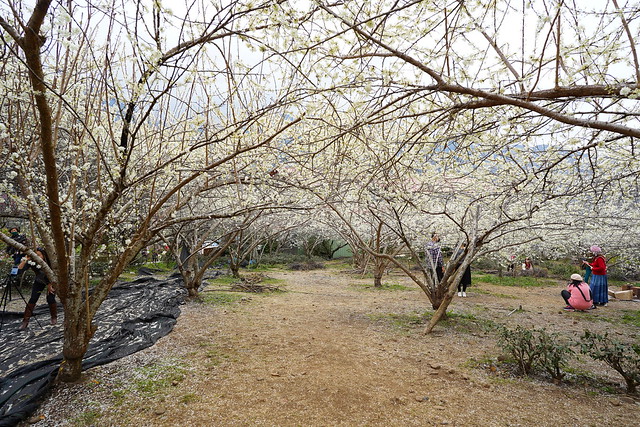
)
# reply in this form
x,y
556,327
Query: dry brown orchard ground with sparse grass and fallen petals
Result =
x,y
331,352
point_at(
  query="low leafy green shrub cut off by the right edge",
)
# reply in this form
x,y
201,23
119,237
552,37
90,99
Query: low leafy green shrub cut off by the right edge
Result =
x,y
623,358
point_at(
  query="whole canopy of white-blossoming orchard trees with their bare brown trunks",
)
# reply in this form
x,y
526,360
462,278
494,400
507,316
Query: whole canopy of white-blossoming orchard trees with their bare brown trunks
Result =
x,y
497,125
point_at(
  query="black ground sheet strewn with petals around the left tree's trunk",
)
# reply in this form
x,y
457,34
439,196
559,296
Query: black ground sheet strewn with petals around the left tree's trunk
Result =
x,y
133,317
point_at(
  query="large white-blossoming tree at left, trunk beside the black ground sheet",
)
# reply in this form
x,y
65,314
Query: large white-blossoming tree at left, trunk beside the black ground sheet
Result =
x,y
114,128
